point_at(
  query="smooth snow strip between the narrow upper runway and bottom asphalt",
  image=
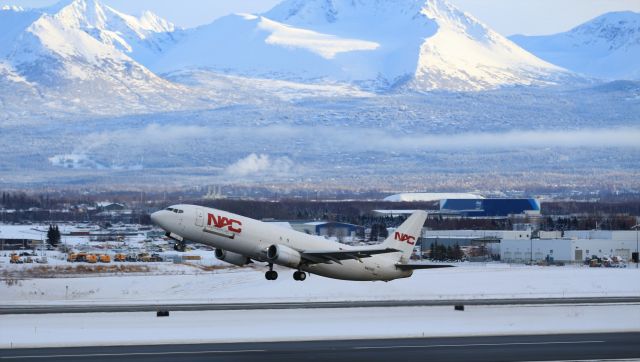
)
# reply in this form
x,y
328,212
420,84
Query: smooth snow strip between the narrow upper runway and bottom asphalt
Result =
x,y
58,330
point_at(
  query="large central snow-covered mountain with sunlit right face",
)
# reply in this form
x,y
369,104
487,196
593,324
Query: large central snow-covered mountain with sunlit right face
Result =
x,y
422,44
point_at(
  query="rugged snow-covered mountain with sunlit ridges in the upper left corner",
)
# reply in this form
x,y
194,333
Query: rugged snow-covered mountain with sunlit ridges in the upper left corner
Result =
x,y
74,55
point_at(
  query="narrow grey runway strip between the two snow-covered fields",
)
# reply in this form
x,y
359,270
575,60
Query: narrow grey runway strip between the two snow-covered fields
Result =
x,y
97,308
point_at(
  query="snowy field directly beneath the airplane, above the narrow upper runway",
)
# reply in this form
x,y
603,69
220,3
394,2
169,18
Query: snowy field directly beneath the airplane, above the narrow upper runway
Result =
x,y
182,284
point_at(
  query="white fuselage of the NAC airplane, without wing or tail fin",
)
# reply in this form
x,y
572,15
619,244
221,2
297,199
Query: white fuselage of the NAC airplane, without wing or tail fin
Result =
x,y
252,238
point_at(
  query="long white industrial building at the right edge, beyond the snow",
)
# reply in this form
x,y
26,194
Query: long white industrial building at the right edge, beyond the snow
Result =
x,y
572,247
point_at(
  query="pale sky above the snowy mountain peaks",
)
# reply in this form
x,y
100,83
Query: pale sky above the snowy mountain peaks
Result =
x,y
530,17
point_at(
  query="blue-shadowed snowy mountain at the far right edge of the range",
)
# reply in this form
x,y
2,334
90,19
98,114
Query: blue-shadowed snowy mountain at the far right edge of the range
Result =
x,y
606,47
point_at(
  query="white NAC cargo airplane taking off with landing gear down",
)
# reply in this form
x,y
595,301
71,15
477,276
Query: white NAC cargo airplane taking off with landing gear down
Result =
x,y
241,240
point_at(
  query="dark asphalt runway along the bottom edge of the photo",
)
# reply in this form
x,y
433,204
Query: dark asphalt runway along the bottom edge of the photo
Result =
x,y
574,347
